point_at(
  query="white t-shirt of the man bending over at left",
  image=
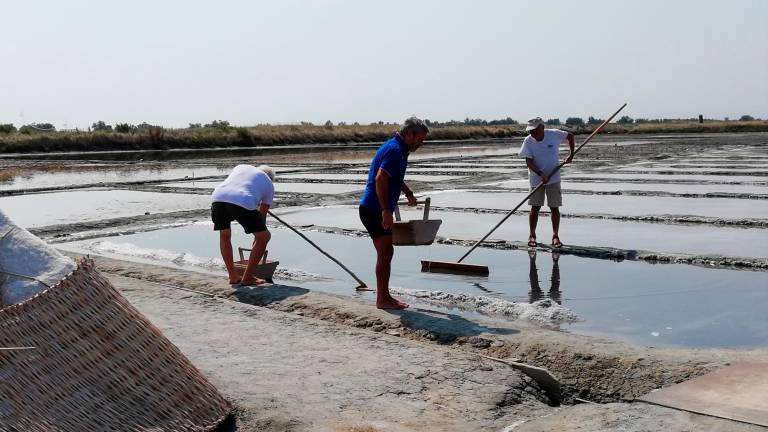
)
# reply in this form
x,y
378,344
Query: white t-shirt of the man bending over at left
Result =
x,y
247,187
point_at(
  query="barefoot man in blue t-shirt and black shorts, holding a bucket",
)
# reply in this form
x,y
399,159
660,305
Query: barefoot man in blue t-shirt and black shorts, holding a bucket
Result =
x,y
385,183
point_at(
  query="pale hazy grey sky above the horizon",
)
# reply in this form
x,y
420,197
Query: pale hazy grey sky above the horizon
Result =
x,y
173,62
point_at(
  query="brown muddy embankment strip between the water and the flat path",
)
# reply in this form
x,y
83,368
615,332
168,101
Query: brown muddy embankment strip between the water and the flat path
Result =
x,y
588,368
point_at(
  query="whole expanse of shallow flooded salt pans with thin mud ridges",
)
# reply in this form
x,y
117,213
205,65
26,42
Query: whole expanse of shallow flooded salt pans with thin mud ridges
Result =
x,y
686,199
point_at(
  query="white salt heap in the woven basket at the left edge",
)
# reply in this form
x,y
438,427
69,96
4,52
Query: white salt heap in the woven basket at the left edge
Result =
x,y
28,264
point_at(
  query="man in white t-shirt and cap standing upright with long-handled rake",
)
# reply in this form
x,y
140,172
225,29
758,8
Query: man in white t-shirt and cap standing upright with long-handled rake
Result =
x,y
541,152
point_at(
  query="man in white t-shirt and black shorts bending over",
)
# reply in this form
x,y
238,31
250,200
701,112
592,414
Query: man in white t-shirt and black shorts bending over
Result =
x,y
244,196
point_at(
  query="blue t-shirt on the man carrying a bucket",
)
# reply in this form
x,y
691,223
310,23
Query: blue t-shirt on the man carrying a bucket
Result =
x,y
392,157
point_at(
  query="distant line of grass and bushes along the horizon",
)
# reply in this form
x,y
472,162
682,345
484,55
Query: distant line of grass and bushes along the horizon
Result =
x,y
220,134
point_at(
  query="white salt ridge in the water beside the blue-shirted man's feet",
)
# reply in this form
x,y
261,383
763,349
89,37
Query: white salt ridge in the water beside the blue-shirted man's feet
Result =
x,y
544,311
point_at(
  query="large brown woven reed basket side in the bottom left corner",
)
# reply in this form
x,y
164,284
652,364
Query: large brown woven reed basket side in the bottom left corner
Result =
x,y
99,365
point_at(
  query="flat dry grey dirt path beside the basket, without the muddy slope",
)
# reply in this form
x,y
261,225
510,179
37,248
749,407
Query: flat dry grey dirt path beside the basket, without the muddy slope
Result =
x,y
288,372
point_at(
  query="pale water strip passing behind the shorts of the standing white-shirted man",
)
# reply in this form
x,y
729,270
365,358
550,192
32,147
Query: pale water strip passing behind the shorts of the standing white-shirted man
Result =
x,y
616,204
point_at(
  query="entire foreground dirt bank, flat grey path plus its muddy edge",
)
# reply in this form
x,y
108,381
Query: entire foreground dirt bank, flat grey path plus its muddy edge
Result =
x,y
311,361
